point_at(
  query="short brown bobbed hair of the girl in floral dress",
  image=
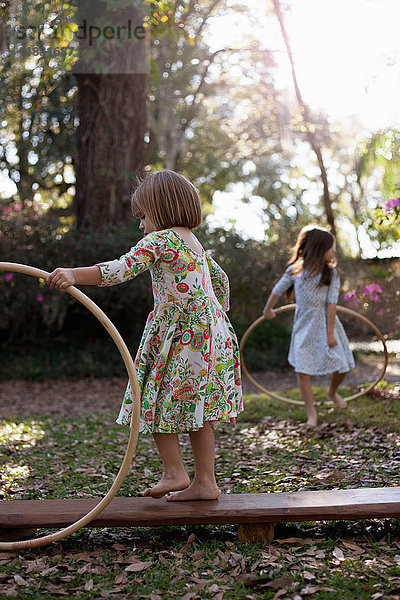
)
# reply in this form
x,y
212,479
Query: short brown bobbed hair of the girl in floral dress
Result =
x,y
168,199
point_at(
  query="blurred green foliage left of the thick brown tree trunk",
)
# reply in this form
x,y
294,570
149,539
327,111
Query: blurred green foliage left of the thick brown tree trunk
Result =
x,y
37,110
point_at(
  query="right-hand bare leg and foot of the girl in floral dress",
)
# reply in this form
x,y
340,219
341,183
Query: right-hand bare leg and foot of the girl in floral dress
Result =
x,y
203,486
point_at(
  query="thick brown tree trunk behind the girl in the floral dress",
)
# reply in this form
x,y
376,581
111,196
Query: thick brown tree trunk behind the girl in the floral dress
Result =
x,y
111,106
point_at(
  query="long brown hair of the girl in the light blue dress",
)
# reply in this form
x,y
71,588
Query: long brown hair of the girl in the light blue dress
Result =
x,y
308,255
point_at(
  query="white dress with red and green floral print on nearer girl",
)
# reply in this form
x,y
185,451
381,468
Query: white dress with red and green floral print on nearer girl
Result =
x,y
188,358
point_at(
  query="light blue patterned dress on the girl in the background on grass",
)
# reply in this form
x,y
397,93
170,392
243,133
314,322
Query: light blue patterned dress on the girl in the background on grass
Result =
x,y
309,352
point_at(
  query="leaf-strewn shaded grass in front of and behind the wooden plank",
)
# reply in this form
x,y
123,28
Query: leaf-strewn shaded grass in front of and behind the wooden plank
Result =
x,y
268,450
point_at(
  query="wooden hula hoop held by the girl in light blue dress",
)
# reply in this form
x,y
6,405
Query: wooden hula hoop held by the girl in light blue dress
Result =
x,y
287,307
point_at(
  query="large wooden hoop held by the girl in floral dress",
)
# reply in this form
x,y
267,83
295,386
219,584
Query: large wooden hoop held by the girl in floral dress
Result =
x,y
134,430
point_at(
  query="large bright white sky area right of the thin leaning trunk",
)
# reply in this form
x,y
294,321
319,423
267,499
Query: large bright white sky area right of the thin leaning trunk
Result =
x,y
344,52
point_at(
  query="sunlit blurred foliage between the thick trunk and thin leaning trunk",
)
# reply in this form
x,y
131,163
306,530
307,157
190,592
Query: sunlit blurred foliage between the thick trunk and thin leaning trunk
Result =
x,y
215,131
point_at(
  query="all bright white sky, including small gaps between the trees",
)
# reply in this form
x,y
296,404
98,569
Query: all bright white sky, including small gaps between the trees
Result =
x,y
347,59
